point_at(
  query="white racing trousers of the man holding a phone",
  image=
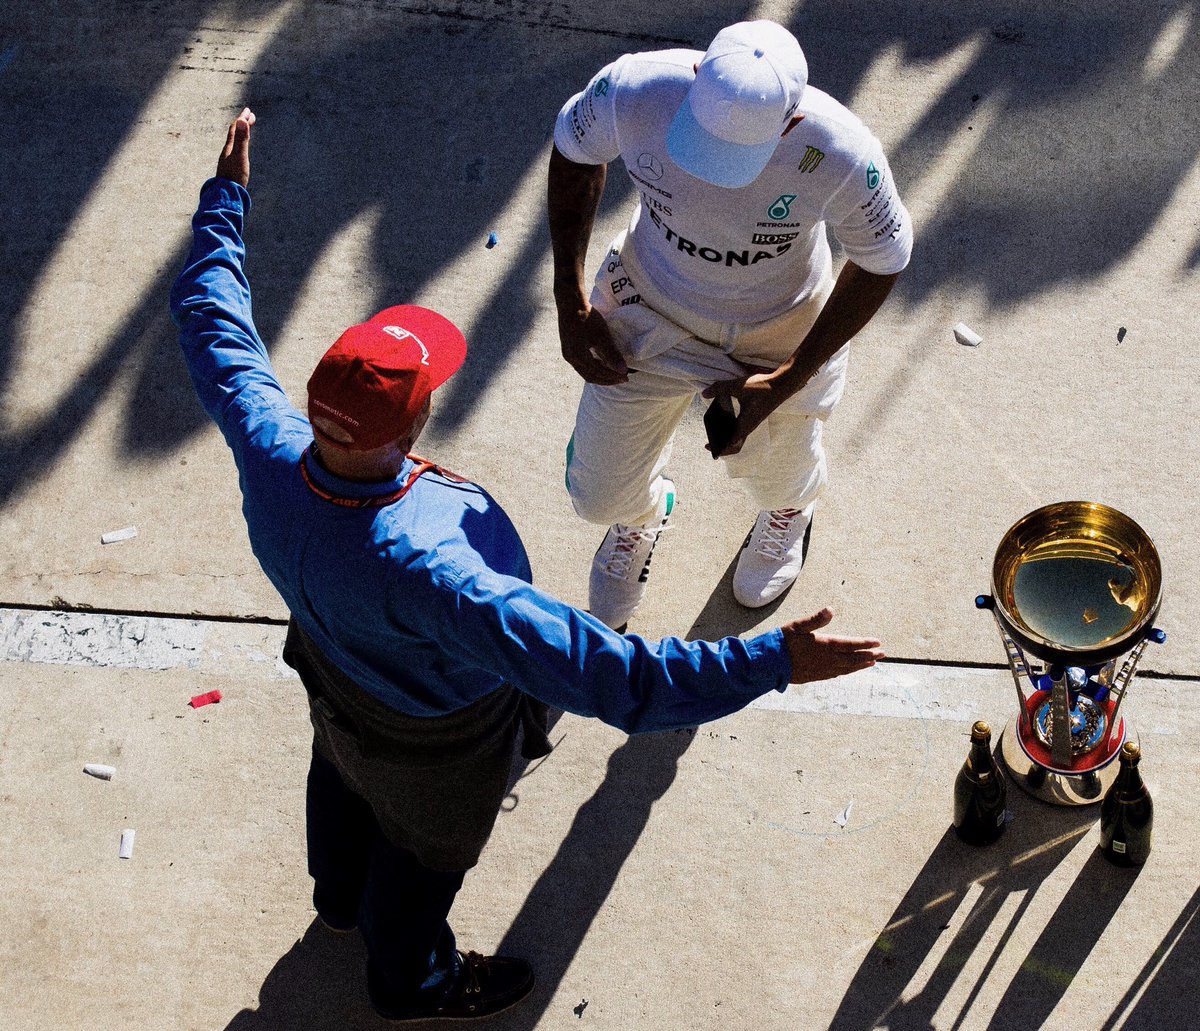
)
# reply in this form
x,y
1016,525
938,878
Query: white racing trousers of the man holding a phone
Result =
x,y
625,434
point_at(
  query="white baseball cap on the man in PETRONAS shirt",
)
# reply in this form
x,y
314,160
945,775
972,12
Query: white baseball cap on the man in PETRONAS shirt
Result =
x,y
748,87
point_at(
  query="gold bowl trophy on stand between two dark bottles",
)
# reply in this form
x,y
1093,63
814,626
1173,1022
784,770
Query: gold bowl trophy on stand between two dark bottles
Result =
x,y
1077,588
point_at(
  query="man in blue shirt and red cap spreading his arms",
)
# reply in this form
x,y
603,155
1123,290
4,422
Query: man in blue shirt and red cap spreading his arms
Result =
x,y
416,628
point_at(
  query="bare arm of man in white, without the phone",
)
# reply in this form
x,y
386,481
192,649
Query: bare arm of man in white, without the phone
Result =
x,y
573,199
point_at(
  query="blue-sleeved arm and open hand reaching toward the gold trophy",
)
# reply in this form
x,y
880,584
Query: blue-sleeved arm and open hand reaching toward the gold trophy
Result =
x,y
569,660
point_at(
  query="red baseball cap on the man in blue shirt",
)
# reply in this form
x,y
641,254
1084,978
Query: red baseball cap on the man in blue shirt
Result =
x,y
370,387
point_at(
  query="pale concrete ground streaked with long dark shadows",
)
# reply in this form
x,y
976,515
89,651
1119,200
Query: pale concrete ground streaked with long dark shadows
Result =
x,y
787,868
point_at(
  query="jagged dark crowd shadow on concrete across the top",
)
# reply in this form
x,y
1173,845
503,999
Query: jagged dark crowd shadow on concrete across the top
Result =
x,y
1090,125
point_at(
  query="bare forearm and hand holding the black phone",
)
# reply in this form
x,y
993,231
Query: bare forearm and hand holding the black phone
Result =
x,y
856,298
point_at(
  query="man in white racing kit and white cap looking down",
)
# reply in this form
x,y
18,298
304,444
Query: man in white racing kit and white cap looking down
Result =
x,y
723,284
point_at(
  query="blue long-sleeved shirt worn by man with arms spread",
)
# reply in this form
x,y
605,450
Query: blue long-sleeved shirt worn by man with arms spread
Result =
x,y
427,603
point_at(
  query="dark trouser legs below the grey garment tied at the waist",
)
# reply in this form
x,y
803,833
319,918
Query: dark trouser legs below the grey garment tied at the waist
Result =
x,y
363,879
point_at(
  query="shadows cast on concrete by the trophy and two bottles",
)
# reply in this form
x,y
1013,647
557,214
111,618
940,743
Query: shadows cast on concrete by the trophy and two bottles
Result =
x,y
965,908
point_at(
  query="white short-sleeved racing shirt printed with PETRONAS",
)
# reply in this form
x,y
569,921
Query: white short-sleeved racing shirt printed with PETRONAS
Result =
x,y
741,255
